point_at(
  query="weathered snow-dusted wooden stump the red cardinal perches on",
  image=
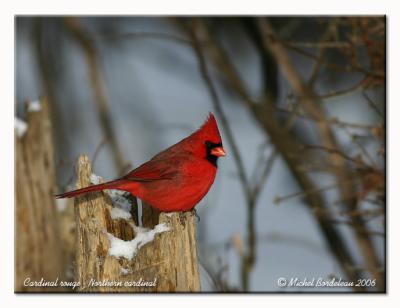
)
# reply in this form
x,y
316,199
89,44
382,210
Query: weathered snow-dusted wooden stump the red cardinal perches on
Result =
x,y
113,254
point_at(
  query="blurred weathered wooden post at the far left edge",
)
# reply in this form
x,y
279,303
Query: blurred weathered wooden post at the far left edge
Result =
x,y
38,250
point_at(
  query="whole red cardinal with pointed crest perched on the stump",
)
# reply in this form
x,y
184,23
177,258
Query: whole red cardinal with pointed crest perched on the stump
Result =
x,y
175,179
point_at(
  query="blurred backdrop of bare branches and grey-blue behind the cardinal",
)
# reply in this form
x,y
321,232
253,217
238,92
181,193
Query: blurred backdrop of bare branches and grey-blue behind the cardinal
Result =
x,y
300,103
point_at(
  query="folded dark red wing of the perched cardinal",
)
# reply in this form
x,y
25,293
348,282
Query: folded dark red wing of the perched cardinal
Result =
x,y
153,170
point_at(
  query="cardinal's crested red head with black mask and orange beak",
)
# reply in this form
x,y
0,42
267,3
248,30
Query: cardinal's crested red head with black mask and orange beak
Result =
x,y
207,142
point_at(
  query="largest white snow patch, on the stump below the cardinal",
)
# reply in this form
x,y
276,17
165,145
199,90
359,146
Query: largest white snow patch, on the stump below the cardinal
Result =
x,y
128,249
